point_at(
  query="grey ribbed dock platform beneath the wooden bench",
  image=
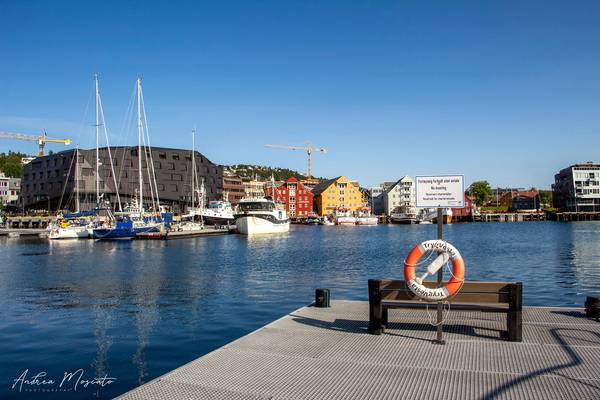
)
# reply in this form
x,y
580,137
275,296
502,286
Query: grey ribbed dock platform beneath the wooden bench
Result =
x,y
326,353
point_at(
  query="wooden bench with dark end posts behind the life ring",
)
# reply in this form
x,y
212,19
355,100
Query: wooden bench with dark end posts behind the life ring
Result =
x,y
486,296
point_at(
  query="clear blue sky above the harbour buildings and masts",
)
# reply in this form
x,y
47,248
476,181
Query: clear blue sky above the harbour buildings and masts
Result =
x,y
503,91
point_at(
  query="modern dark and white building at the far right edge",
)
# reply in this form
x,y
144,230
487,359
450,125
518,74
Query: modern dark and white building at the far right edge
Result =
x,y
577,188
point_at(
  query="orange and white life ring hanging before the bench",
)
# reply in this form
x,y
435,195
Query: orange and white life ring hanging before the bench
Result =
x,y
447,253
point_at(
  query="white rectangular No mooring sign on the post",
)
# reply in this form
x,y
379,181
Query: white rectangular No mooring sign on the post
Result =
x,y
447,191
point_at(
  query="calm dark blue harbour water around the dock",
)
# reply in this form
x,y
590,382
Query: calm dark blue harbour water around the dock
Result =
x,y
136,310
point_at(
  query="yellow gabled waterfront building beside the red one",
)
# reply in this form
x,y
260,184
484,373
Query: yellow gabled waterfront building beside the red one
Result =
x,y
337,192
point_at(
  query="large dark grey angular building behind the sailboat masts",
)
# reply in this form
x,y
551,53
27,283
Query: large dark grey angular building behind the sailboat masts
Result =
x,y
49,181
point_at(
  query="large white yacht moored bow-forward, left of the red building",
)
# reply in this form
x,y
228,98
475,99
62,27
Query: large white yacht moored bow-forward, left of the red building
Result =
x,y
260,216
